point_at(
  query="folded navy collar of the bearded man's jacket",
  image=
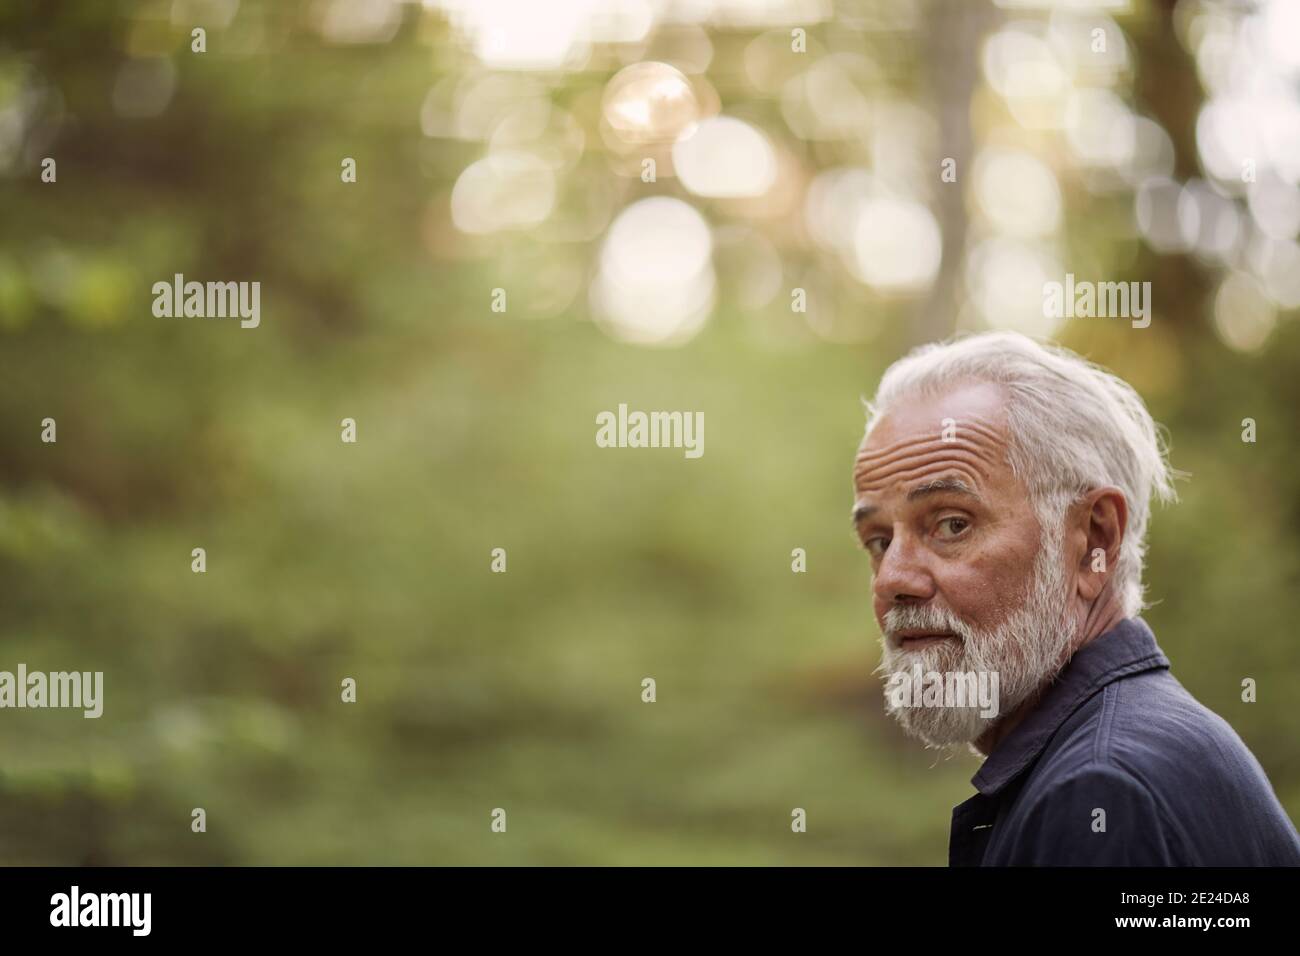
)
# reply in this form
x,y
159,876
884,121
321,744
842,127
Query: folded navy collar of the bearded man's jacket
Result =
x,y
1128,648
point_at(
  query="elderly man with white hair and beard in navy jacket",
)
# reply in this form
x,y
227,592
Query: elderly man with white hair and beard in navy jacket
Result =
x,y
1003,492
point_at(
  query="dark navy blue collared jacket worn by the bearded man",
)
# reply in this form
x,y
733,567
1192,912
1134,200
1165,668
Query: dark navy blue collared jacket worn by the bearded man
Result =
x,y
1117,733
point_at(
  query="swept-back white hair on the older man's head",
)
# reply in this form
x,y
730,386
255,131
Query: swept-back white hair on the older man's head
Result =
x,y
1073,427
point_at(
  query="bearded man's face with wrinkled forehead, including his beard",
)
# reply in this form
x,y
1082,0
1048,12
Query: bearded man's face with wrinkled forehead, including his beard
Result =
x,y
961,578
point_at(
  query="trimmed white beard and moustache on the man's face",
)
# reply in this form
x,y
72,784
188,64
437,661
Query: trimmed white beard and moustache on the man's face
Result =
x,y
1028,651
